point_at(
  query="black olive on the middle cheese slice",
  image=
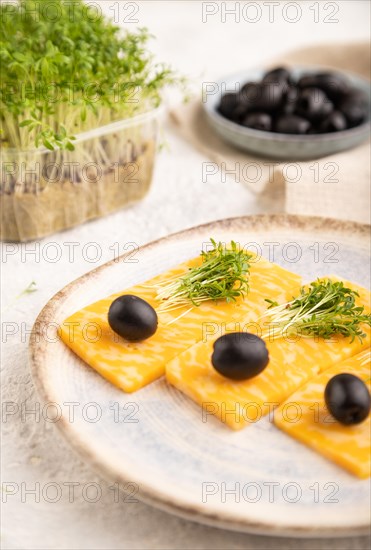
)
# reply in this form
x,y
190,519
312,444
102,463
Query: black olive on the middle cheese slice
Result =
x,y
239,355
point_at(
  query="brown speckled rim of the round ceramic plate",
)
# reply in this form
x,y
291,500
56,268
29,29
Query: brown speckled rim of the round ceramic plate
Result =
x,y
76,439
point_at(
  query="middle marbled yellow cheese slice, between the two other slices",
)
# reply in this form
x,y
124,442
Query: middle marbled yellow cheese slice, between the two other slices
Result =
x,y
291,364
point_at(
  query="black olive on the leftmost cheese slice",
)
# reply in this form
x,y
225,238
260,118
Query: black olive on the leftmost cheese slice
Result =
x,y
132,318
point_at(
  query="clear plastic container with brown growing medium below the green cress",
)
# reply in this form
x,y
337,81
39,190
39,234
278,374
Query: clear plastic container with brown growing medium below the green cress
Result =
x,y
45,191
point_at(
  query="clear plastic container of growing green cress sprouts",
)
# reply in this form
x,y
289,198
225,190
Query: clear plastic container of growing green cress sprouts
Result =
x,y
78,118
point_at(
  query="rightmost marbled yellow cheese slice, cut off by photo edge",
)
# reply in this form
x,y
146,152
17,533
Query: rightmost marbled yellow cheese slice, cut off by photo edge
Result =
x,y
304,416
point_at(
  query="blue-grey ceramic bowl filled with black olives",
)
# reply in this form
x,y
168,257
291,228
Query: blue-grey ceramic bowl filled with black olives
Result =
x,y
297,113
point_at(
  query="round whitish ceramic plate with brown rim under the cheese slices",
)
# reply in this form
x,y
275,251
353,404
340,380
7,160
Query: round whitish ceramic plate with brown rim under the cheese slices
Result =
x,y
259,479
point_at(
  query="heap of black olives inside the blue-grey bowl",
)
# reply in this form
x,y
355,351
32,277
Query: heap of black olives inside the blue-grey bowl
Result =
x,y
317,103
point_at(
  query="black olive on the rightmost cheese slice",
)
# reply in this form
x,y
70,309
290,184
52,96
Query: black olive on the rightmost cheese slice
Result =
x,y
347,399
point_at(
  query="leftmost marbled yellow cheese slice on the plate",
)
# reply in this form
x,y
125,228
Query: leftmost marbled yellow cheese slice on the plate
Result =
x,y
130,366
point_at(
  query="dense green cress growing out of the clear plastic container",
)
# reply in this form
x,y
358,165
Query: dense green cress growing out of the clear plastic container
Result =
x,y
51,67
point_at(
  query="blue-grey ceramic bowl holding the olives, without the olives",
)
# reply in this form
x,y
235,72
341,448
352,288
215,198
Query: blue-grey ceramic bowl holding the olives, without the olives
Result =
x,y
284,146
